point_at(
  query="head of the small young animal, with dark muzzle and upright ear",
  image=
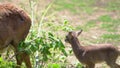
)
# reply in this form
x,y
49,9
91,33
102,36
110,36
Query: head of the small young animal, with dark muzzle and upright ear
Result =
x,y
71,35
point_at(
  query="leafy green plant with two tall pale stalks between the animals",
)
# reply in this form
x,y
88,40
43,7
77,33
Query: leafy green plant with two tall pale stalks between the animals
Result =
x,y
42,45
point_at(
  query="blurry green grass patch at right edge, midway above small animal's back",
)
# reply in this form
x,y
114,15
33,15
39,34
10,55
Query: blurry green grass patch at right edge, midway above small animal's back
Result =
x,y
108,23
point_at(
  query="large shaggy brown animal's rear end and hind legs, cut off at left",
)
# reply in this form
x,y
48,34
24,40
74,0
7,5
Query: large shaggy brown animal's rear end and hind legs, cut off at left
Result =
x,y
14,27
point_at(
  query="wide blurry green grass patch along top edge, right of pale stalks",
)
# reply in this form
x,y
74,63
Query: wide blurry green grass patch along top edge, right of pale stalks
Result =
x,y
75,6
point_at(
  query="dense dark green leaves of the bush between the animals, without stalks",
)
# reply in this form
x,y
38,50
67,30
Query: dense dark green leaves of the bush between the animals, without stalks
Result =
x,y
47,44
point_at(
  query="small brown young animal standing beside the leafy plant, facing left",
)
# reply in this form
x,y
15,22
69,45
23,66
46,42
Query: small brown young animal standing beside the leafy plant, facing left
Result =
x,y
89,55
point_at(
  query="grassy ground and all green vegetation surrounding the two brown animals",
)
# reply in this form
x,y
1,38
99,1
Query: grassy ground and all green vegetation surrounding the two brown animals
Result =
x,y
52,19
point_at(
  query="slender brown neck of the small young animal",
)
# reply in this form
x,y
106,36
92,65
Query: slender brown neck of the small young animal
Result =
x,y
76,45
